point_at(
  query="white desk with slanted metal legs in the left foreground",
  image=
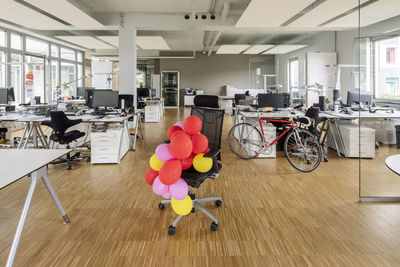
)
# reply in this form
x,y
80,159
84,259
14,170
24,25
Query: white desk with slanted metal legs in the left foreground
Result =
x,y
34,164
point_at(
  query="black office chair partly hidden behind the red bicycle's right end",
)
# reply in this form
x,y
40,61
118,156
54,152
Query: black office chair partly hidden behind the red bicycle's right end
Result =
x,y
313,114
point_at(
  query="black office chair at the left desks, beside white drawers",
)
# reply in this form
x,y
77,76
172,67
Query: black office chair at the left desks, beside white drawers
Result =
x,y
60,123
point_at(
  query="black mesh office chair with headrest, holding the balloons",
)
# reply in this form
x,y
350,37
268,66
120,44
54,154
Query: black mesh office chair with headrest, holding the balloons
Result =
x,y
207,109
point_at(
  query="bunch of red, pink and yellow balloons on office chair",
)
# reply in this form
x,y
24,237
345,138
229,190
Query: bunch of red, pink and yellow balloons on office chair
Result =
x,y
186,149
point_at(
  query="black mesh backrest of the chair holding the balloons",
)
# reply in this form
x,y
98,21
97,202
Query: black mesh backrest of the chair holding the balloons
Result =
x,y
213,120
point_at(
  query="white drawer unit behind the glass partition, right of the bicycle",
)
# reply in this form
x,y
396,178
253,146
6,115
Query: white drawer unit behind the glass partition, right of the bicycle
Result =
x,y
353,136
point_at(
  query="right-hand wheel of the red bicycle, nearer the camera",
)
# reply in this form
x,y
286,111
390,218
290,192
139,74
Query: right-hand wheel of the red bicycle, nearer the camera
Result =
x,y
302,150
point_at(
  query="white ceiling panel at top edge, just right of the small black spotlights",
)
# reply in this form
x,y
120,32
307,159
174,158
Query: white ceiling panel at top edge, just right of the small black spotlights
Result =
x,y
270,13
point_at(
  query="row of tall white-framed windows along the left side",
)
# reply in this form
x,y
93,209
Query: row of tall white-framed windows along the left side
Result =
x,y
21,54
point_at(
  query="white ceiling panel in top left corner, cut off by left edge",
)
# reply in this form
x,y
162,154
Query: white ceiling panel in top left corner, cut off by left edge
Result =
x,y
19,14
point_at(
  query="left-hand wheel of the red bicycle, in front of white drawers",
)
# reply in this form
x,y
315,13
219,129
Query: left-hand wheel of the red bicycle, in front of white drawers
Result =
x,y
244,140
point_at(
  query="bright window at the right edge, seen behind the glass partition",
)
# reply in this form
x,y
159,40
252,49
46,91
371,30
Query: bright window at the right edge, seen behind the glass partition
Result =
x,y
387,68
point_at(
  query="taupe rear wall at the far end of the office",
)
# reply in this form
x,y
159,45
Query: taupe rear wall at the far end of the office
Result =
x,y
210,73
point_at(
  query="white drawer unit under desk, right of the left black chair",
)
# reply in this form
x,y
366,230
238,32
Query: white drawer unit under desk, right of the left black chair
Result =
x,y
109,146
